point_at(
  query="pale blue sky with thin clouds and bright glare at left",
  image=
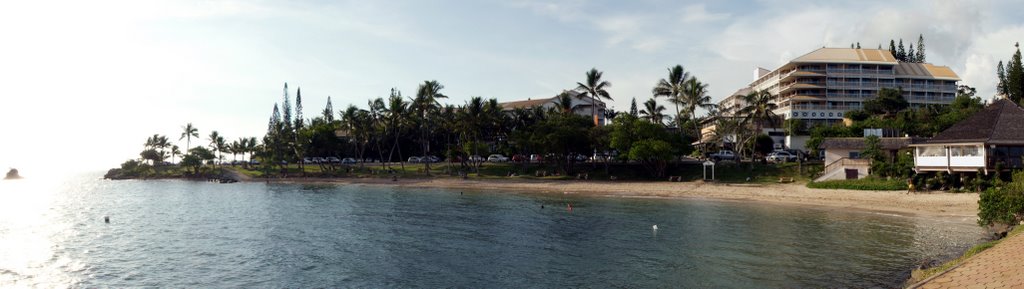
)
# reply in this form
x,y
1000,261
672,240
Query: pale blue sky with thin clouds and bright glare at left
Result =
x,y
84,84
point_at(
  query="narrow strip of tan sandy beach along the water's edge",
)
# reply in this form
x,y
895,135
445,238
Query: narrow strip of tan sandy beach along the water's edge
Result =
x,y
899,202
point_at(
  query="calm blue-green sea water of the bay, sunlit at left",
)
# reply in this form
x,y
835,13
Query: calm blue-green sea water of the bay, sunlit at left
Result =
x,y
188,234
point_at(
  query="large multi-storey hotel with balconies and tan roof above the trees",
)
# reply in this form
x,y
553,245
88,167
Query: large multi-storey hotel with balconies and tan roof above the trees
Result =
x,y
820,88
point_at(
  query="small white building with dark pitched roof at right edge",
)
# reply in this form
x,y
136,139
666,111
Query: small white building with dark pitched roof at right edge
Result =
x,y
990,140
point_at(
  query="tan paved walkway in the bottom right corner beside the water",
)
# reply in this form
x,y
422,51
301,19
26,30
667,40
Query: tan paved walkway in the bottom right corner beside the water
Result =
x,y
1000,267
